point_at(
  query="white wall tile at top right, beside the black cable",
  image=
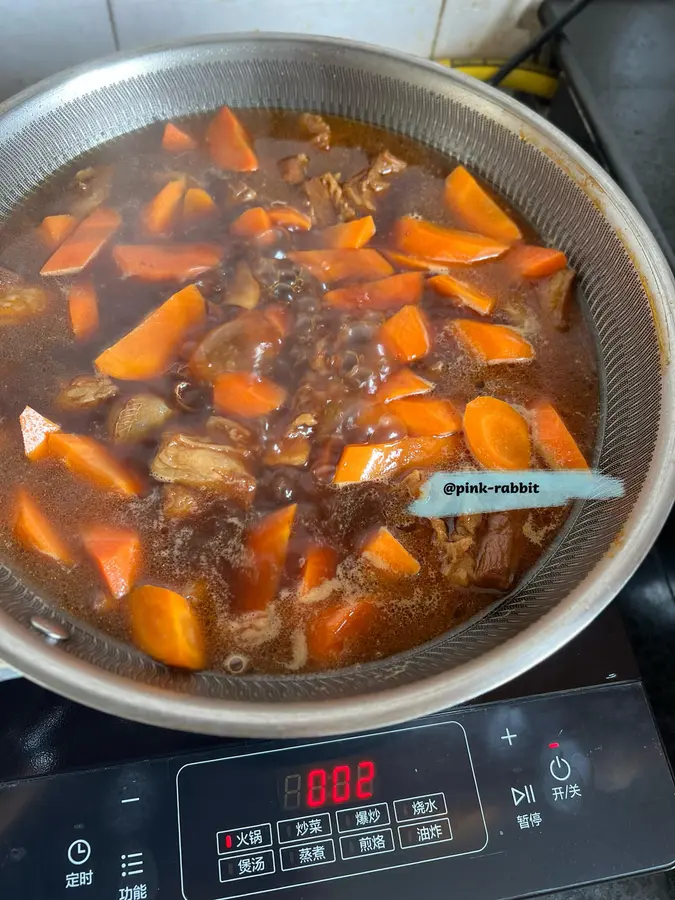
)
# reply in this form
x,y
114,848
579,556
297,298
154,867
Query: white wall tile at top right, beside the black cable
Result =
x,y
485,28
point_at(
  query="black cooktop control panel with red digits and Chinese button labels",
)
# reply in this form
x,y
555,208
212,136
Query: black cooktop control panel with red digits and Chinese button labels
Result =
x,y
503,799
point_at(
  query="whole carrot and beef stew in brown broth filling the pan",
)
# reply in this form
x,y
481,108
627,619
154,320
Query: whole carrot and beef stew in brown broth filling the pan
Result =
x,y
273,377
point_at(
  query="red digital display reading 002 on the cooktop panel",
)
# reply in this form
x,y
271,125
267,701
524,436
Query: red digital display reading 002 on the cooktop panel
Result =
x,y
330,785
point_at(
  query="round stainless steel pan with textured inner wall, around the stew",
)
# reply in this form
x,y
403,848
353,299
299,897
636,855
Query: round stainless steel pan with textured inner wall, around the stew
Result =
x,y
629,295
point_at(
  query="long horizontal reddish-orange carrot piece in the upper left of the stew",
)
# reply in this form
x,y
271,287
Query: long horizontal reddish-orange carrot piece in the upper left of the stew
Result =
x,y
166,262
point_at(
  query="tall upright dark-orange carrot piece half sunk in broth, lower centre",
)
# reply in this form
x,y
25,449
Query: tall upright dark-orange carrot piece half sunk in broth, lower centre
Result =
x,y
267,547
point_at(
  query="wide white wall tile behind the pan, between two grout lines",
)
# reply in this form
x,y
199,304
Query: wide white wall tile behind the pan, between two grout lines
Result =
x,y
408,25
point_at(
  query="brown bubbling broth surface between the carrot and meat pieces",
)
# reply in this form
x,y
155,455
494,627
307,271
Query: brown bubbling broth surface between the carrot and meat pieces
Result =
x,y
206,550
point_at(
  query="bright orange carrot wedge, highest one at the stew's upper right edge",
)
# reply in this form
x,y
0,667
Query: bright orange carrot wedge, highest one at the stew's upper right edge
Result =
x,y
476,209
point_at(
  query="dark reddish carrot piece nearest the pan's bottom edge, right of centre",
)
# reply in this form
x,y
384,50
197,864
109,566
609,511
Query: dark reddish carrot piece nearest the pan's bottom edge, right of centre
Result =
x,y
332,631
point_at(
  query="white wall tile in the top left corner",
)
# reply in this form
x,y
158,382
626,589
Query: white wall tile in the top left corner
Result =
x,y
41,37
